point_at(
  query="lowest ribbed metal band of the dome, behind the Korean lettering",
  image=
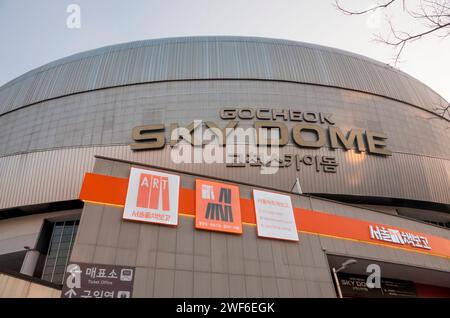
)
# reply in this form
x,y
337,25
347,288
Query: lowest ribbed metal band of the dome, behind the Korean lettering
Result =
x,y
57,175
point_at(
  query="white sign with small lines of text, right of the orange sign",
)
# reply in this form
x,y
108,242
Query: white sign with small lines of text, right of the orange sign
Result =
x,y
275,216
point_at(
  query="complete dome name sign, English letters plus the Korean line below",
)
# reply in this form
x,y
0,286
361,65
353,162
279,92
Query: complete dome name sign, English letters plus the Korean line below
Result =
x,y
206,142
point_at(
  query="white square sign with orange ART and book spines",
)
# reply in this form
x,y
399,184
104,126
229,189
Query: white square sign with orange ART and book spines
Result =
x,y
152,197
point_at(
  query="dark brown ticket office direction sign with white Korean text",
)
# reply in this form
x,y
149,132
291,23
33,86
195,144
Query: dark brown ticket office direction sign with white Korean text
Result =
x,y
98,281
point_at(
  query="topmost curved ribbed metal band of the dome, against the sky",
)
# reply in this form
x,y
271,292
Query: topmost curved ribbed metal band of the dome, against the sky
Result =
x,y
223,57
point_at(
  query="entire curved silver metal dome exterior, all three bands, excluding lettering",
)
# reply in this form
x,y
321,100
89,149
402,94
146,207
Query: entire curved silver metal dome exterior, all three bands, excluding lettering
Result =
x,y
91,101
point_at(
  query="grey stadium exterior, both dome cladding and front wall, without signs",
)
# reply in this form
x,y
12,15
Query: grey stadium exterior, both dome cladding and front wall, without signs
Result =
x,y
76,115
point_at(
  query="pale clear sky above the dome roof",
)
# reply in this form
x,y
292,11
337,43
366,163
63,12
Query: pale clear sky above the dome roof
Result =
x,y
34,32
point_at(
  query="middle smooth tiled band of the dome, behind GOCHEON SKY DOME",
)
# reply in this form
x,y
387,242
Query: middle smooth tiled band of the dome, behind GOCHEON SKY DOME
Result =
x,y
106,117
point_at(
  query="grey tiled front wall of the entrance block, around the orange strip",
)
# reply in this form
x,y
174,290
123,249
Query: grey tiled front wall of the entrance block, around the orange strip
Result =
x,y
185,262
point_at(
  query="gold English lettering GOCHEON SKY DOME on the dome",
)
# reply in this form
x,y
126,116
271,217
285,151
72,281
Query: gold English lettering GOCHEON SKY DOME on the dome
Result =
x,y
151,137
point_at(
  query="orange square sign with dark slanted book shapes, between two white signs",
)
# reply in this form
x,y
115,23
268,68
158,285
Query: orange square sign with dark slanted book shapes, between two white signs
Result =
x,y
217,207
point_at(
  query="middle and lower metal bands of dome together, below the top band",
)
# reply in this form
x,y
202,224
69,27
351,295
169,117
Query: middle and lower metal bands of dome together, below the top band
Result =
x,y
77,127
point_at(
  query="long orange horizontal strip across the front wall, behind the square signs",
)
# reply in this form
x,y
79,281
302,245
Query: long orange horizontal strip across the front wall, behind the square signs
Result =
x,y
108,190
